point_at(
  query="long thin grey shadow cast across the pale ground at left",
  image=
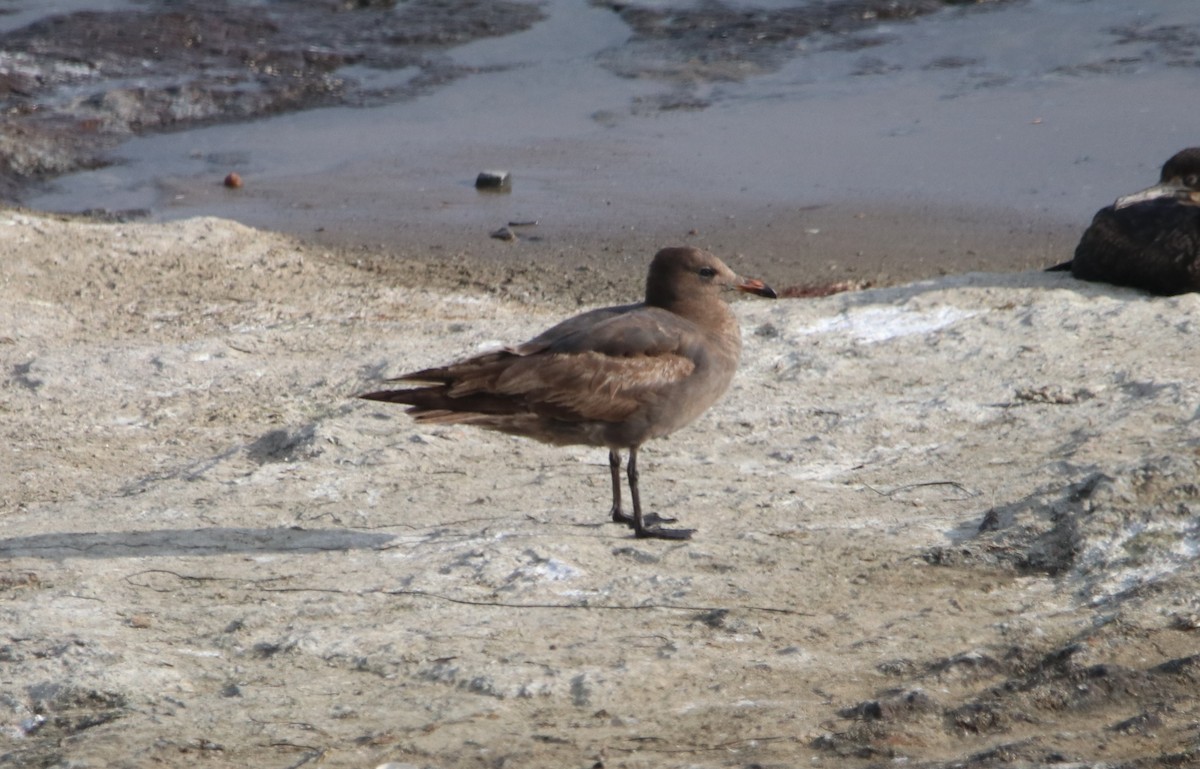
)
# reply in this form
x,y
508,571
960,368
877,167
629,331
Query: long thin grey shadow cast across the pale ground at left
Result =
x,y
209,542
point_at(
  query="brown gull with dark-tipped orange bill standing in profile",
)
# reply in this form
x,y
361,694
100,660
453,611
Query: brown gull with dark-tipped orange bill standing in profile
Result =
x,y
615,377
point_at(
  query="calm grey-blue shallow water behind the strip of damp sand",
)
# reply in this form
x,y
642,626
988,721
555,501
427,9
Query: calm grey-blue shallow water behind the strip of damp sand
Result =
x,y
1049,109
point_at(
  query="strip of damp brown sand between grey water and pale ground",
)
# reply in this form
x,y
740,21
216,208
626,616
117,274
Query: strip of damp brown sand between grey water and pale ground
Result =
x,y
863,245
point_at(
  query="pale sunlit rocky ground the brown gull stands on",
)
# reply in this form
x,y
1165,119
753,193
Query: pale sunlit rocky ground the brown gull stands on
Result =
x,y
950,522
